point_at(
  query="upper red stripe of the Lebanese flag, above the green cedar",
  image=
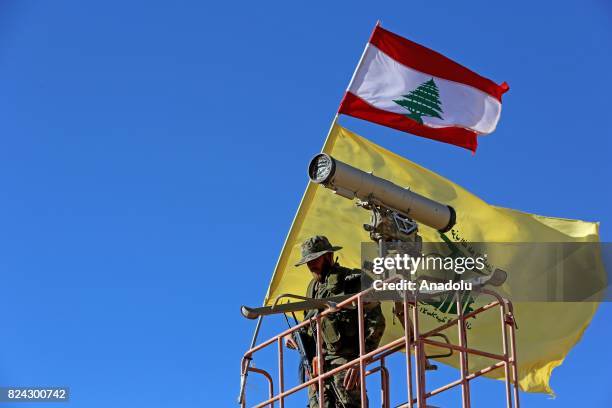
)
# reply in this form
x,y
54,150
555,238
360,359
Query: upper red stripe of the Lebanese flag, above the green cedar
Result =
x,y
423,59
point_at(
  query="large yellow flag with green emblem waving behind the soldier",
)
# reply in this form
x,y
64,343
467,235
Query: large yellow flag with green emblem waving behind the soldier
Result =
x,y
547,330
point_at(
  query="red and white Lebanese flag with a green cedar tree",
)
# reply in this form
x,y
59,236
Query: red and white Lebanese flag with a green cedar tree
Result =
x,y
405,86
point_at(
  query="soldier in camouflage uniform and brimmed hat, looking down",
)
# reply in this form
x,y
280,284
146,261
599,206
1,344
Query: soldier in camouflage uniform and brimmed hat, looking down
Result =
x,y
339,330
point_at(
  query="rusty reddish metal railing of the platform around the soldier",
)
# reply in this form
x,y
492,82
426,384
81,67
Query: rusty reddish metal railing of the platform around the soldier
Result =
x,y
412,340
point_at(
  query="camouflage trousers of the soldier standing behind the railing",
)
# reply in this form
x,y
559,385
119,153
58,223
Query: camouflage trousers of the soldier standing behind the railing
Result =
x,y
336,396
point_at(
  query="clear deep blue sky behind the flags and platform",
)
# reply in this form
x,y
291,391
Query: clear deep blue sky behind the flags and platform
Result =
x,y
152,157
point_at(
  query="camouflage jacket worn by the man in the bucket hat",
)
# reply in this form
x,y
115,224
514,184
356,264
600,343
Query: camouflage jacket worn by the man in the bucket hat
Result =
x,y
340,330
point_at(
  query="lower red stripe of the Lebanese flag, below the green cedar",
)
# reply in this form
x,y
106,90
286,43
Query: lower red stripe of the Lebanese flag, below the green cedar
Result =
x,y
354,106
